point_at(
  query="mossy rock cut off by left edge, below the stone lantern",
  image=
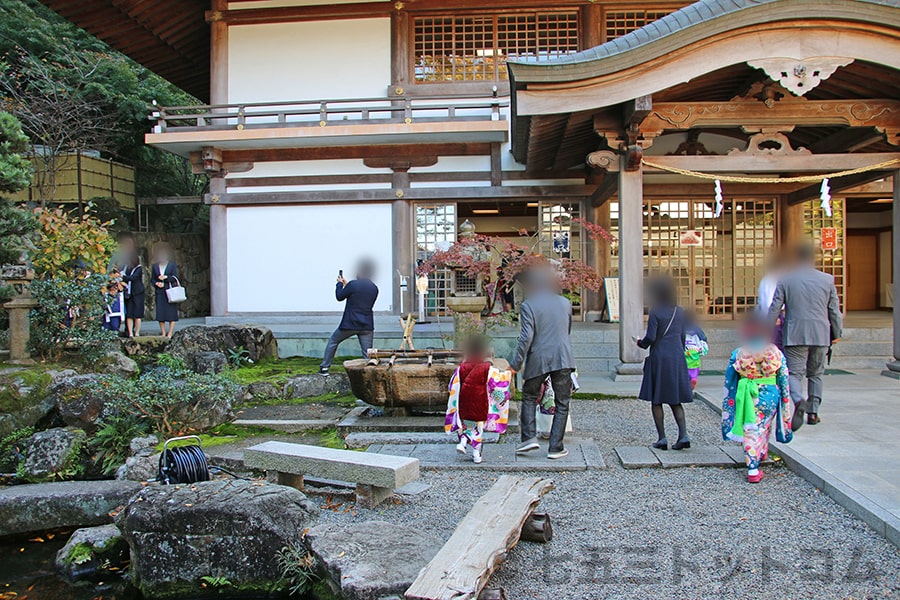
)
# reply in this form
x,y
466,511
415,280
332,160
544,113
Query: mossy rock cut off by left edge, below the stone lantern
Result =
x,y
24,399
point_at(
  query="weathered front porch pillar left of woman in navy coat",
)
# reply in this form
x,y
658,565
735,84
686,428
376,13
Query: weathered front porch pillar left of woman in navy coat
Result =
x,y
631,266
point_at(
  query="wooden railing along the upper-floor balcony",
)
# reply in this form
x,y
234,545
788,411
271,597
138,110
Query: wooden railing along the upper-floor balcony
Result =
x,y
321,113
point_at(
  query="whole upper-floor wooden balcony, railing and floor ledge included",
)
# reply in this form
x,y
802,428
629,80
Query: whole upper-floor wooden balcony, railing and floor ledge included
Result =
x,y
318,123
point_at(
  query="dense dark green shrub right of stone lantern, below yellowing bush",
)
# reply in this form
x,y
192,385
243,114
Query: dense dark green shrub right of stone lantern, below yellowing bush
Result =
x,y
69,316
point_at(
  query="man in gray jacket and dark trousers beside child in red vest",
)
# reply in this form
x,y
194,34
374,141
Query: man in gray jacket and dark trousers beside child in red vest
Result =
x,y
545,348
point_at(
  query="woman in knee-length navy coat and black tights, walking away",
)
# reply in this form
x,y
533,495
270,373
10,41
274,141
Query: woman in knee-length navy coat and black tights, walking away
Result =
x,y
666,379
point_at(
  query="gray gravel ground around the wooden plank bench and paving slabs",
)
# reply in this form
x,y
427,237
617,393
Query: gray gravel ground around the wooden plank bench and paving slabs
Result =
x,y
686,533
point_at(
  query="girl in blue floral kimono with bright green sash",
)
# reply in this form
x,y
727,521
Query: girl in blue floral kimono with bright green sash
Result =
x,y
757,397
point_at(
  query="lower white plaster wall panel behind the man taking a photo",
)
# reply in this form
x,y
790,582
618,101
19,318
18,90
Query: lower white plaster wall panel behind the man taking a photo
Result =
x,y
286,258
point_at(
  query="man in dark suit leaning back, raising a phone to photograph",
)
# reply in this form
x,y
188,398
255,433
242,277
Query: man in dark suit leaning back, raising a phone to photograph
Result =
x,y
360,296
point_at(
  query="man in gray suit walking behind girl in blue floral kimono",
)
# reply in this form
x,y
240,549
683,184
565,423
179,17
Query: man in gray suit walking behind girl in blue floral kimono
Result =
x,y
812,323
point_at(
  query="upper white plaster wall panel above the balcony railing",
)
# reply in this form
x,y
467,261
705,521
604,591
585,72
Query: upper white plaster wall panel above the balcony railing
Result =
x,y
309,61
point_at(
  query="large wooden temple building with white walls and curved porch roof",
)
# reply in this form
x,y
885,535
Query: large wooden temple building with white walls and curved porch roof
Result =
x,y
336,130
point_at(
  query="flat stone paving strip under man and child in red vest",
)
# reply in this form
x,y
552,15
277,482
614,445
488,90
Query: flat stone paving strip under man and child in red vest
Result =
x,y
583,455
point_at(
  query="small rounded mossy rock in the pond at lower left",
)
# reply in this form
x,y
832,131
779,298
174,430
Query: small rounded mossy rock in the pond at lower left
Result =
x,y
91,552
